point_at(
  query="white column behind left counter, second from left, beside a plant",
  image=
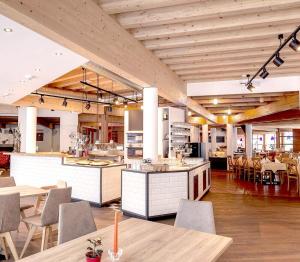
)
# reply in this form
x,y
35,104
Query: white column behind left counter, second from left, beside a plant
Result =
x,y
68,125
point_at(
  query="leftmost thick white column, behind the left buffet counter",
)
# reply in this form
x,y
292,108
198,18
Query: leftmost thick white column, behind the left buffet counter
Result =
x,y
27,118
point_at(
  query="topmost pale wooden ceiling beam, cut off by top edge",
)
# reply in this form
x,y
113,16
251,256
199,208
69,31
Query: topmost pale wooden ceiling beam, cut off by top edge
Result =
x,y
121,6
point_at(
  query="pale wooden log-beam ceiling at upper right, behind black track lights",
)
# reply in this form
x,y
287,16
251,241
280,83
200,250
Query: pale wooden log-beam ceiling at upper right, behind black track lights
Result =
x,y
204,40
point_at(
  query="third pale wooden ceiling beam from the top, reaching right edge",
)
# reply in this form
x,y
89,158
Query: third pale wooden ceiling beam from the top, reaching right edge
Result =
x,y
217,24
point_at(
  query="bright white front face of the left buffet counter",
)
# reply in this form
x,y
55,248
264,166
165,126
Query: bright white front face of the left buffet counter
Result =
x,y
44,171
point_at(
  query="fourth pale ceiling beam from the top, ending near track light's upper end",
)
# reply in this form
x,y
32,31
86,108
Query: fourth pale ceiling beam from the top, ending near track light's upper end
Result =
x,y
231,35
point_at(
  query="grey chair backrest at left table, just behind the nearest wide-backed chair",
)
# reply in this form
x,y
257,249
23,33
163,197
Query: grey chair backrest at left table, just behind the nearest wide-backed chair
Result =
x,y
55,197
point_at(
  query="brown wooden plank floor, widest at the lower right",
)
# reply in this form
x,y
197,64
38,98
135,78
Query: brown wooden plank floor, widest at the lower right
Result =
x,y
264,221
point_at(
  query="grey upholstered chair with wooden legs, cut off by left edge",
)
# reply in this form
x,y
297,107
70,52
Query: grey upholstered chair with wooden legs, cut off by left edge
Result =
x,y
9,221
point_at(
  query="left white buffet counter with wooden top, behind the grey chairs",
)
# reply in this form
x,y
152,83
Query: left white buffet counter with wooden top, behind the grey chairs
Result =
x,y
98,183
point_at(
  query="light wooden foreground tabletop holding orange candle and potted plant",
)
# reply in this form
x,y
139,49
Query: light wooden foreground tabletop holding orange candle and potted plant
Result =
x,y
143,241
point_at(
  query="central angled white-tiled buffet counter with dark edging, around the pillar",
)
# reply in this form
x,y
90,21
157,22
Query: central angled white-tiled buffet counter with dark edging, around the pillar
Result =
x,y
153,194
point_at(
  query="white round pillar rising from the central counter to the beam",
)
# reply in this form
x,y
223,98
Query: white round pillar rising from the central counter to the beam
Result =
x,y
150,115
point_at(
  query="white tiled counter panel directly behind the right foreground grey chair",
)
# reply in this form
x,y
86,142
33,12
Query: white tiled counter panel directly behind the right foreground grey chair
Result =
x,y
165,192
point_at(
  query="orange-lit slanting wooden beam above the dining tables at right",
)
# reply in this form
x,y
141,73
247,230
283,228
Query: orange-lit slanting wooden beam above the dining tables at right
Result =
x,y
286,103
